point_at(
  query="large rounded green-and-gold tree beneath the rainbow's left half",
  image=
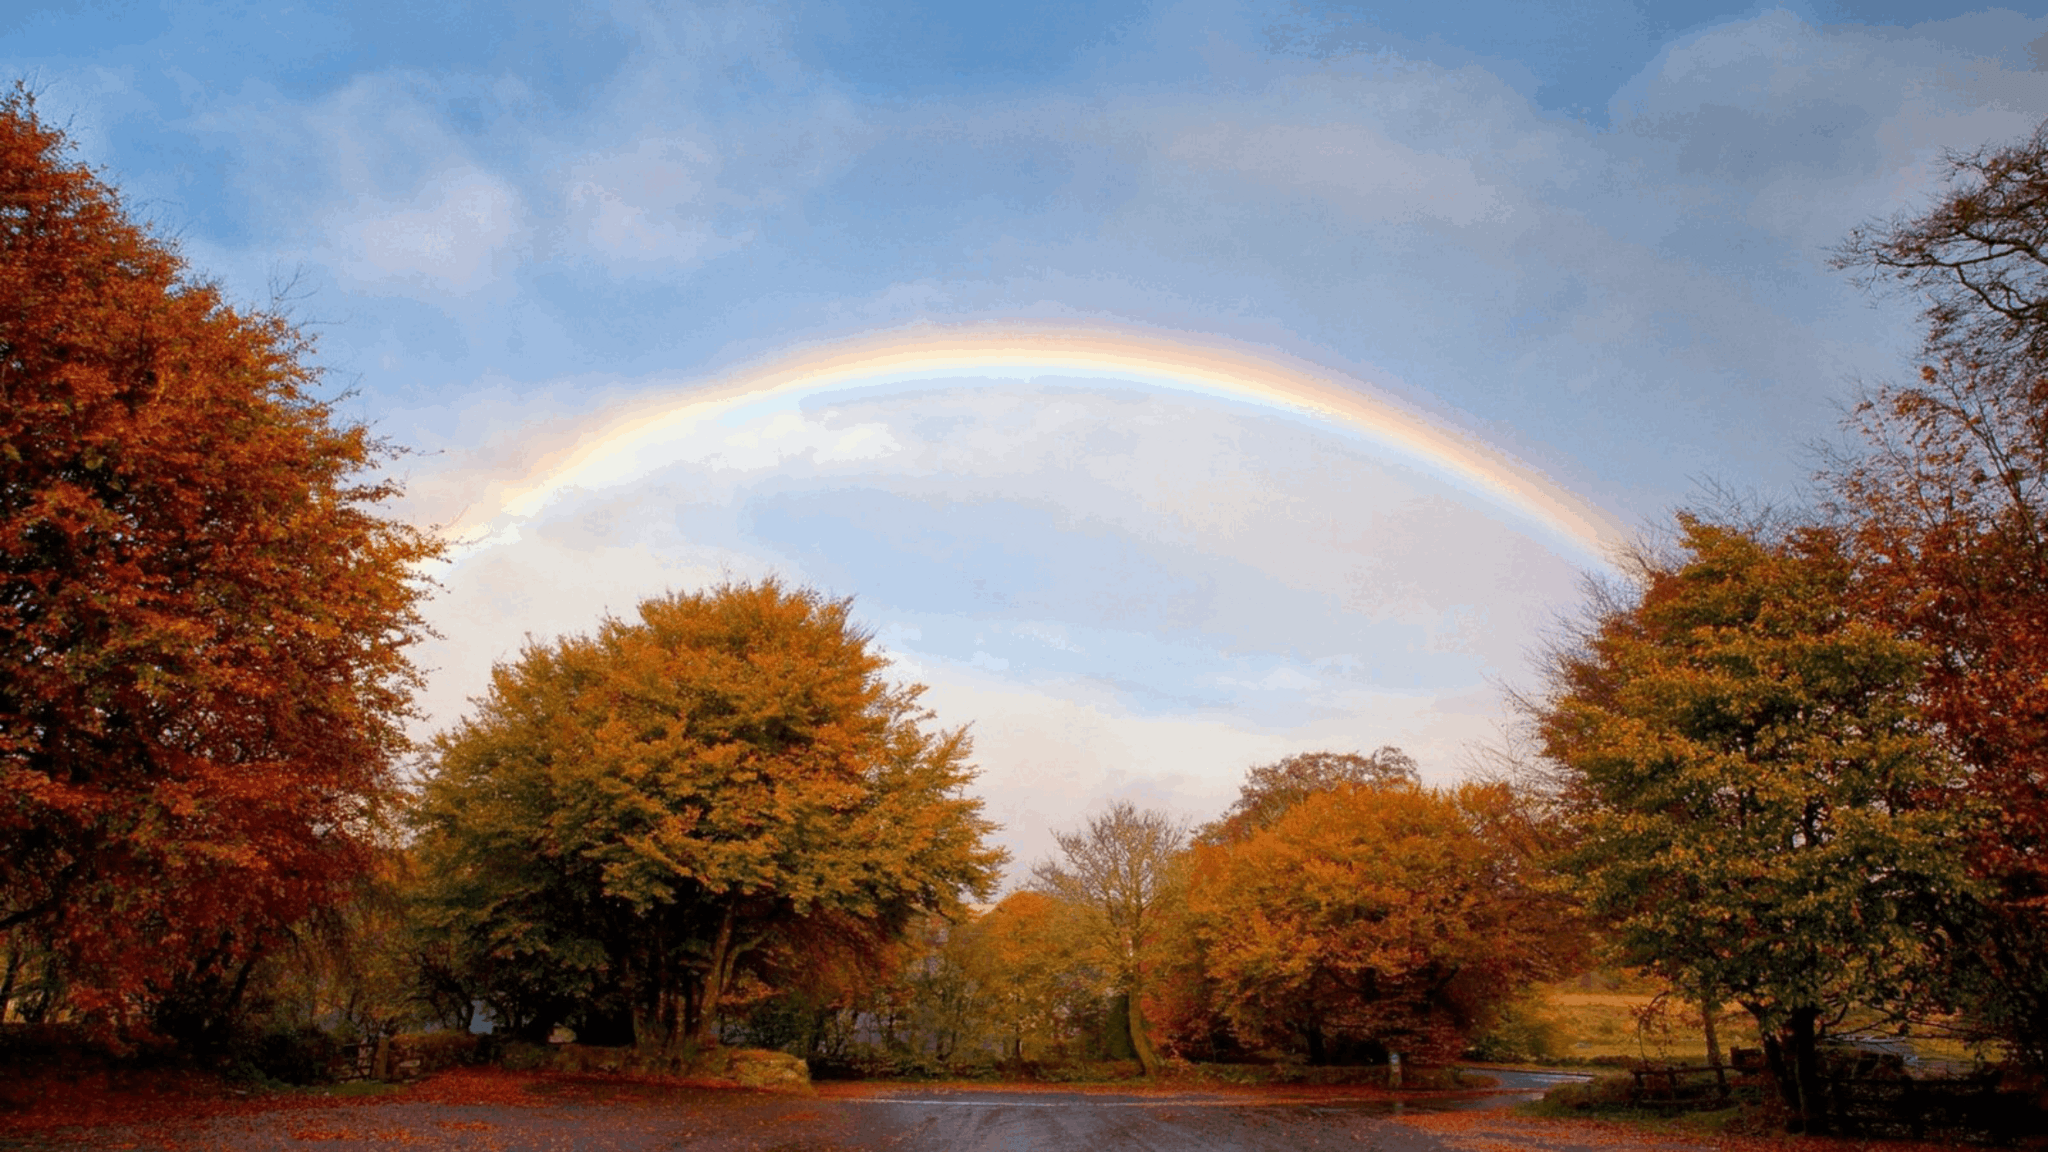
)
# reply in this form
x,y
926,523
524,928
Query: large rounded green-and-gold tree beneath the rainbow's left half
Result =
x,y
638,815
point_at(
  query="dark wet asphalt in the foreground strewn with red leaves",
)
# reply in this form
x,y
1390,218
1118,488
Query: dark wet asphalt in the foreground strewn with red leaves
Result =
x,y
841,1120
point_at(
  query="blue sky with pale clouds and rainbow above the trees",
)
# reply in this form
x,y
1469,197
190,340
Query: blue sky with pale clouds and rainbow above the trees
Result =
x,y
1398,319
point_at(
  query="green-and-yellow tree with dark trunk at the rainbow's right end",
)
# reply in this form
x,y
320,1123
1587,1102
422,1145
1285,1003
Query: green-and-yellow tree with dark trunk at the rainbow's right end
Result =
x,y
1760,807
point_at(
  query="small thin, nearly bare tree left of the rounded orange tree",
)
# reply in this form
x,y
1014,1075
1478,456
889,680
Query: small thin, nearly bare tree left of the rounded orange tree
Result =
x,y
1121,874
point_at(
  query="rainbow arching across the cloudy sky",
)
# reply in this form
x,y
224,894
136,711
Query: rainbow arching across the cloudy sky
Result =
x,y
1175,362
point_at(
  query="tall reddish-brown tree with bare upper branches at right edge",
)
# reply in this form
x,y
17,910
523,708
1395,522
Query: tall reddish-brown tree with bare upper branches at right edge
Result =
x,y
1945,499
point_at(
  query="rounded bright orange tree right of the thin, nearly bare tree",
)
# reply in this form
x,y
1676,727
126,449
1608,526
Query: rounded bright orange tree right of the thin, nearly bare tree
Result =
x,y
1381,917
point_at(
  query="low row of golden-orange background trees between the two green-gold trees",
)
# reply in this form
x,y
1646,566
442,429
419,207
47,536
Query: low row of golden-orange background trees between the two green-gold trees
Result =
x,y
1338,913
